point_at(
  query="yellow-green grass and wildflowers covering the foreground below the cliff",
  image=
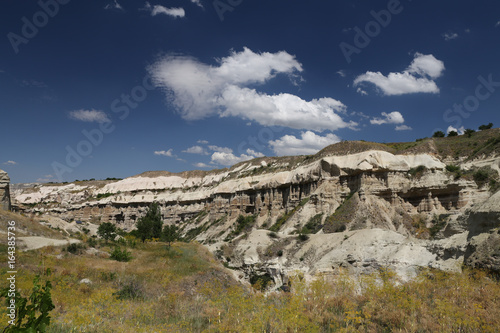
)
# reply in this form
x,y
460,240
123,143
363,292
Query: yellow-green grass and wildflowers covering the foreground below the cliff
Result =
x,y
184,289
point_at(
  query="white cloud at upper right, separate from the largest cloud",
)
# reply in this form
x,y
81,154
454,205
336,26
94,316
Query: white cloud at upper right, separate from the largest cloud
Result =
x,y
417,78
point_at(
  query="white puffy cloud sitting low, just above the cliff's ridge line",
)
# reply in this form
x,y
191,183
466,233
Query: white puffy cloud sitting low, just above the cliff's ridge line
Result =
x,y
308,143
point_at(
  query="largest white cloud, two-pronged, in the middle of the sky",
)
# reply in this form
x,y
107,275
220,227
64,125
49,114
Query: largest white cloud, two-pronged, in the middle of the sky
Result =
x,y
198,90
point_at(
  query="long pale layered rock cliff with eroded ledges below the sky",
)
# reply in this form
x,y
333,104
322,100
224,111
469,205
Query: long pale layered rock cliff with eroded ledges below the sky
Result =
x,y
365,208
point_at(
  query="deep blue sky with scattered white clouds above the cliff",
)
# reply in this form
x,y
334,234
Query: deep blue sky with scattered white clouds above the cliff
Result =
x,y
97,89
